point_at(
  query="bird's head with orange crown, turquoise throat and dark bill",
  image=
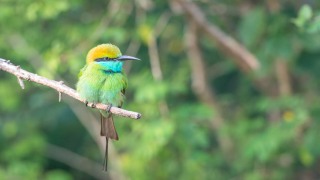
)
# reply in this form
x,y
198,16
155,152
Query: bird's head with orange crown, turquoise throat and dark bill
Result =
x,y
109,56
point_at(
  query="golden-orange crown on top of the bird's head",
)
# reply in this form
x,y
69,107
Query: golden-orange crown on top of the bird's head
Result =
x,y
103,50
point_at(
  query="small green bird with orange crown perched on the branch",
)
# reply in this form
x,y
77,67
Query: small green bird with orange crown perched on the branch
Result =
x,y
102,80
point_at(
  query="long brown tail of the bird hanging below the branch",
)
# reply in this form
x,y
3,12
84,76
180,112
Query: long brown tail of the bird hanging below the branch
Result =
x,y
109,131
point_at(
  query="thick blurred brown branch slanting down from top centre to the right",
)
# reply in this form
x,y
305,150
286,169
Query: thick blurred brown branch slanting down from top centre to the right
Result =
x,y
241,56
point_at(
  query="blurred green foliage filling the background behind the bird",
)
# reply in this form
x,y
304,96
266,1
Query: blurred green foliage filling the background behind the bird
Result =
x,y
271,134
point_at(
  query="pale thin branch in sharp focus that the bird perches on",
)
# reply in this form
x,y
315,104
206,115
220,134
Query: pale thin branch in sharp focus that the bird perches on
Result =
x,y
5,65
